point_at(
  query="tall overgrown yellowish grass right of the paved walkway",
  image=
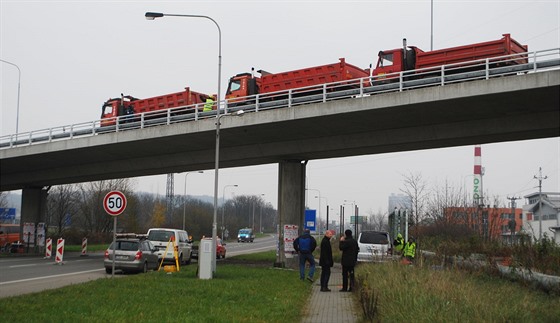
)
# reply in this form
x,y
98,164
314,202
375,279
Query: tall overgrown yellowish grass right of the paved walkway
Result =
x,y
415,294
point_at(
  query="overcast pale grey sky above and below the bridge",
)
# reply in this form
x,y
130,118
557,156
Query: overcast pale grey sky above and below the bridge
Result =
x,y
74,55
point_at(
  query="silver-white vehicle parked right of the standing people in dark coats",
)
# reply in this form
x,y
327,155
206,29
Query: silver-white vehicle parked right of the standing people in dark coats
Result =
x,y
374,246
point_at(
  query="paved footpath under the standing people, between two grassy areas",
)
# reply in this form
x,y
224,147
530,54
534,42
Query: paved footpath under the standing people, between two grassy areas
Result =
x,y
334,306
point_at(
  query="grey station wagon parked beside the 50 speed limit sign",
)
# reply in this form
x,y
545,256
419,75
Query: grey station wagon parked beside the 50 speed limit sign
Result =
x,y
132,254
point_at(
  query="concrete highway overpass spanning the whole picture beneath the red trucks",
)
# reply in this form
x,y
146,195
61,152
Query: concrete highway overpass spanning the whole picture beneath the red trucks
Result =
x,y
488,110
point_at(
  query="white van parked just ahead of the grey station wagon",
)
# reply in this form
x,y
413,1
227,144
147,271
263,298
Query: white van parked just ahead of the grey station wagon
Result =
x,y
160,238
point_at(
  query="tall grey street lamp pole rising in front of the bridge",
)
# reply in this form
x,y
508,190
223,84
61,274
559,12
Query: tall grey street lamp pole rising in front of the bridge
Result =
x,y
152,16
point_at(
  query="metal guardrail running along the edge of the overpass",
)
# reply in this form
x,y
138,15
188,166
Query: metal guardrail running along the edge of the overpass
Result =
x,y
537,61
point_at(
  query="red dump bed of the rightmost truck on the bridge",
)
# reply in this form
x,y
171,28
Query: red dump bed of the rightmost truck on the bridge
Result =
x,y
504,46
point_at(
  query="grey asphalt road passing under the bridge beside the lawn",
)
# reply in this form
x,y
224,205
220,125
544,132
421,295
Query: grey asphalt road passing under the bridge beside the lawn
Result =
x,y
27,274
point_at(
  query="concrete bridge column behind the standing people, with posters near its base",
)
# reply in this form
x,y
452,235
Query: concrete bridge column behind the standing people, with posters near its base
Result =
x,y
291,206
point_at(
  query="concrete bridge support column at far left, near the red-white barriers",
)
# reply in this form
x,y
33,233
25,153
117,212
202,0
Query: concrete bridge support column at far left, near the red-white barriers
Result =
x,y
33,207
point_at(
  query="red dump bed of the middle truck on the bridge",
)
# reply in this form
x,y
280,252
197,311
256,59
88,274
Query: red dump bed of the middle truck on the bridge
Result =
x,y
311,76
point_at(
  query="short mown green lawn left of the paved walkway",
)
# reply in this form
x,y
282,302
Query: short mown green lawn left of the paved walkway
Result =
x,y
237,293
